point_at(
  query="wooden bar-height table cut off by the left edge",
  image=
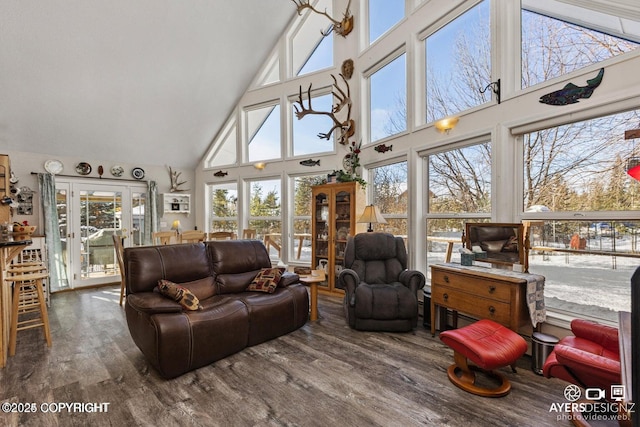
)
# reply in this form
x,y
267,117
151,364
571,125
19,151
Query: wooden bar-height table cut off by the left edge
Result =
x,y
10,247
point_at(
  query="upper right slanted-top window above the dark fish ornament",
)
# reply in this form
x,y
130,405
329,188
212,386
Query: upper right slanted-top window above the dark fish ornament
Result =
x,y
552,46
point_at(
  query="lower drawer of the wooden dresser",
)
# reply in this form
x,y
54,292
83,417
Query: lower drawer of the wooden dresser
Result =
x,y
472,304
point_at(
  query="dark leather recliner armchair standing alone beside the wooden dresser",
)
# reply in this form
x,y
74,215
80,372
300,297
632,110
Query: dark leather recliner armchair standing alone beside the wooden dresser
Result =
x,y
380,292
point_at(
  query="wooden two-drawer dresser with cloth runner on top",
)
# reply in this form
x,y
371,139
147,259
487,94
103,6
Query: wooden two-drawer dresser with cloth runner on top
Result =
x,y
481,293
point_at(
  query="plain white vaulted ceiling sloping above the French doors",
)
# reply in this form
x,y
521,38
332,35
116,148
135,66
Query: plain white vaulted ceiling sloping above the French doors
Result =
x,y
141,81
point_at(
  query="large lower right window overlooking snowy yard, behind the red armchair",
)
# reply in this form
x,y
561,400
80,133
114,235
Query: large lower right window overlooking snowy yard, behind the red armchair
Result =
x,y
579,170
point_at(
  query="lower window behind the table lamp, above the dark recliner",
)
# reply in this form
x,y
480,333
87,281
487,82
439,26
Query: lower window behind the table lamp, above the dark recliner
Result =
x,y
390,195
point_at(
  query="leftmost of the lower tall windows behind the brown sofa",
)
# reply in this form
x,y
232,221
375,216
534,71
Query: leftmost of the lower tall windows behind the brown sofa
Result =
x,y
223,211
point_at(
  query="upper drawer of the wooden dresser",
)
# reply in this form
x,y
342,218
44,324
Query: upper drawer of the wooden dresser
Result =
x,y
479,286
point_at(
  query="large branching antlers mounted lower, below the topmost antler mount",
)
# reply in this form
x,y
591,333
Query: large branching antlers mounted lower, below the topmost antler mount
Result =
x,y
347,127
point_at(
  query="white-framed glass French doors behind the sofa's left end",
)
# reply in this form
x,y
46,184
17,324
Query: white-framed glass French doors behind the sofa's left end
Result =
x,y
90,213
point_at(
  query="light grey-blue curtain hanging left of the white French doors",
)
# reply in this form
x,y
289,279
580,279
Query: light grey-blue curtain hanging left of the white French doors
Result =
x,y
57,271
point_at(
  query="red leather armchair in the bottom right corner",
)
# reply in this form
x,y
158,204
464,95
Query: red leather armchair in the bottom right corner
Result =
x,y
591,358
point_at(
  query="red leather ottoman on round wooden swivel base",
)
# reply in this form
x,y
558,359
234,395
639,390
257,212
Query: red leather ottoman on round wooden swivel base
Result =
x,y
488,345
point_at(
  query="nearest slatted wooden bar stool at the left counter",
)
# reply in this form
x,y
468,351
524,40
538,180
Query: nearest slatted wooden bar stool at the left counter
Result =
x,y
28,297
